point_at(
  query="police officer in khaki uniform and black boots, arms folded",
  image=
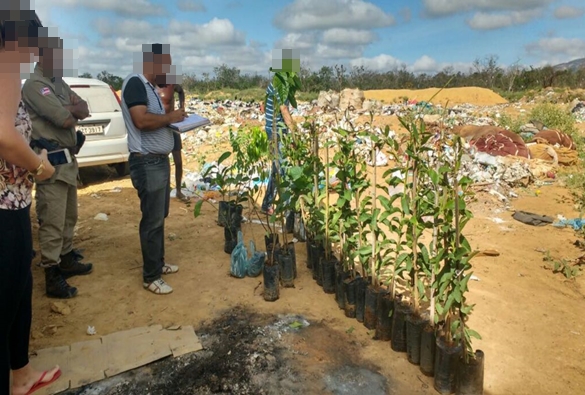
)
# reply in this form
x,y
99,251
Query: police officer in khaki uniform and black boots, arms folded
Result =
x,y
55,110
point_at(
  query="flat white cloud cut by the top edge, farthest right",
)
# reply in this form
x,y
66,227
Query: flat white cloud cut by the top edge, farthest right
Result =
x,y
439,8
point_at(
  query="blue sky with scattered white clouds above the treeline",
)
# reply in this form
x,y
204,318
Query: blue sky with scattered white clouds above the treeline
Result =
x,y
421,35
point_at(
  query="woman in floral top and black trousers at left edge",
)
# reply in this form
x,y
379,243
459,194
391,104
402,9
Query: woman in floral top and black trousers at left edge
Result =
x,y
18,166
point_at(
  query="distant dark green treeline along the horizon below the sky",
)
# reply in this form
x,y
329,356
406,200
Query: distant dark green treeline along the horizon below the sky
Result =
x,y
484,72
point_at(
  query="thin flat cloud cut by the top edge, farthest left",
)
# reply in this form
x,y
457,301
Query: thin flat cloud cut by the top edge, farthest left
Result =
x,y
130,8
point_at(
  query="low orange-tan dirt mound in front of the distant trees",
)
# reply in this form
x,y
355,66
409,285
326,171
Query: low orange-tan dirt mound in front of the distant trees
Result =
x,y
471,95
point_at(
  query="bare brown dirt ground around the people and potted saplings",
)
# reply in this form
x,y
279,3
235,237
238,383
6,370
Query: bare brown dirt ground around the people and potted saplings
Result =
x,y
531,319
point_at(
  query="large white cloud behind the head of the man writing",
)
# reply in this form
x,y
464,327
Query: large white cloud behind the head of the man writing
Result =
x,y
194,47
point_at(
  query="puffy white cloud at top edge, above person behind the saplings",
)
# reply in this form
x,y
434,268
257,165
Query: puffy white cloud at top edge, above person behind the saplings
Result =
x,y
327,14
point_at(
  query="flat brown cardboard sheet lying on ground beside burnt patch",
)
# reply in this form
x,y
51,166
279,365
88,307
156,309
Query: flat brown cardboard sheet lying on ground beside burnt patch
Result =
x,y
89,361
